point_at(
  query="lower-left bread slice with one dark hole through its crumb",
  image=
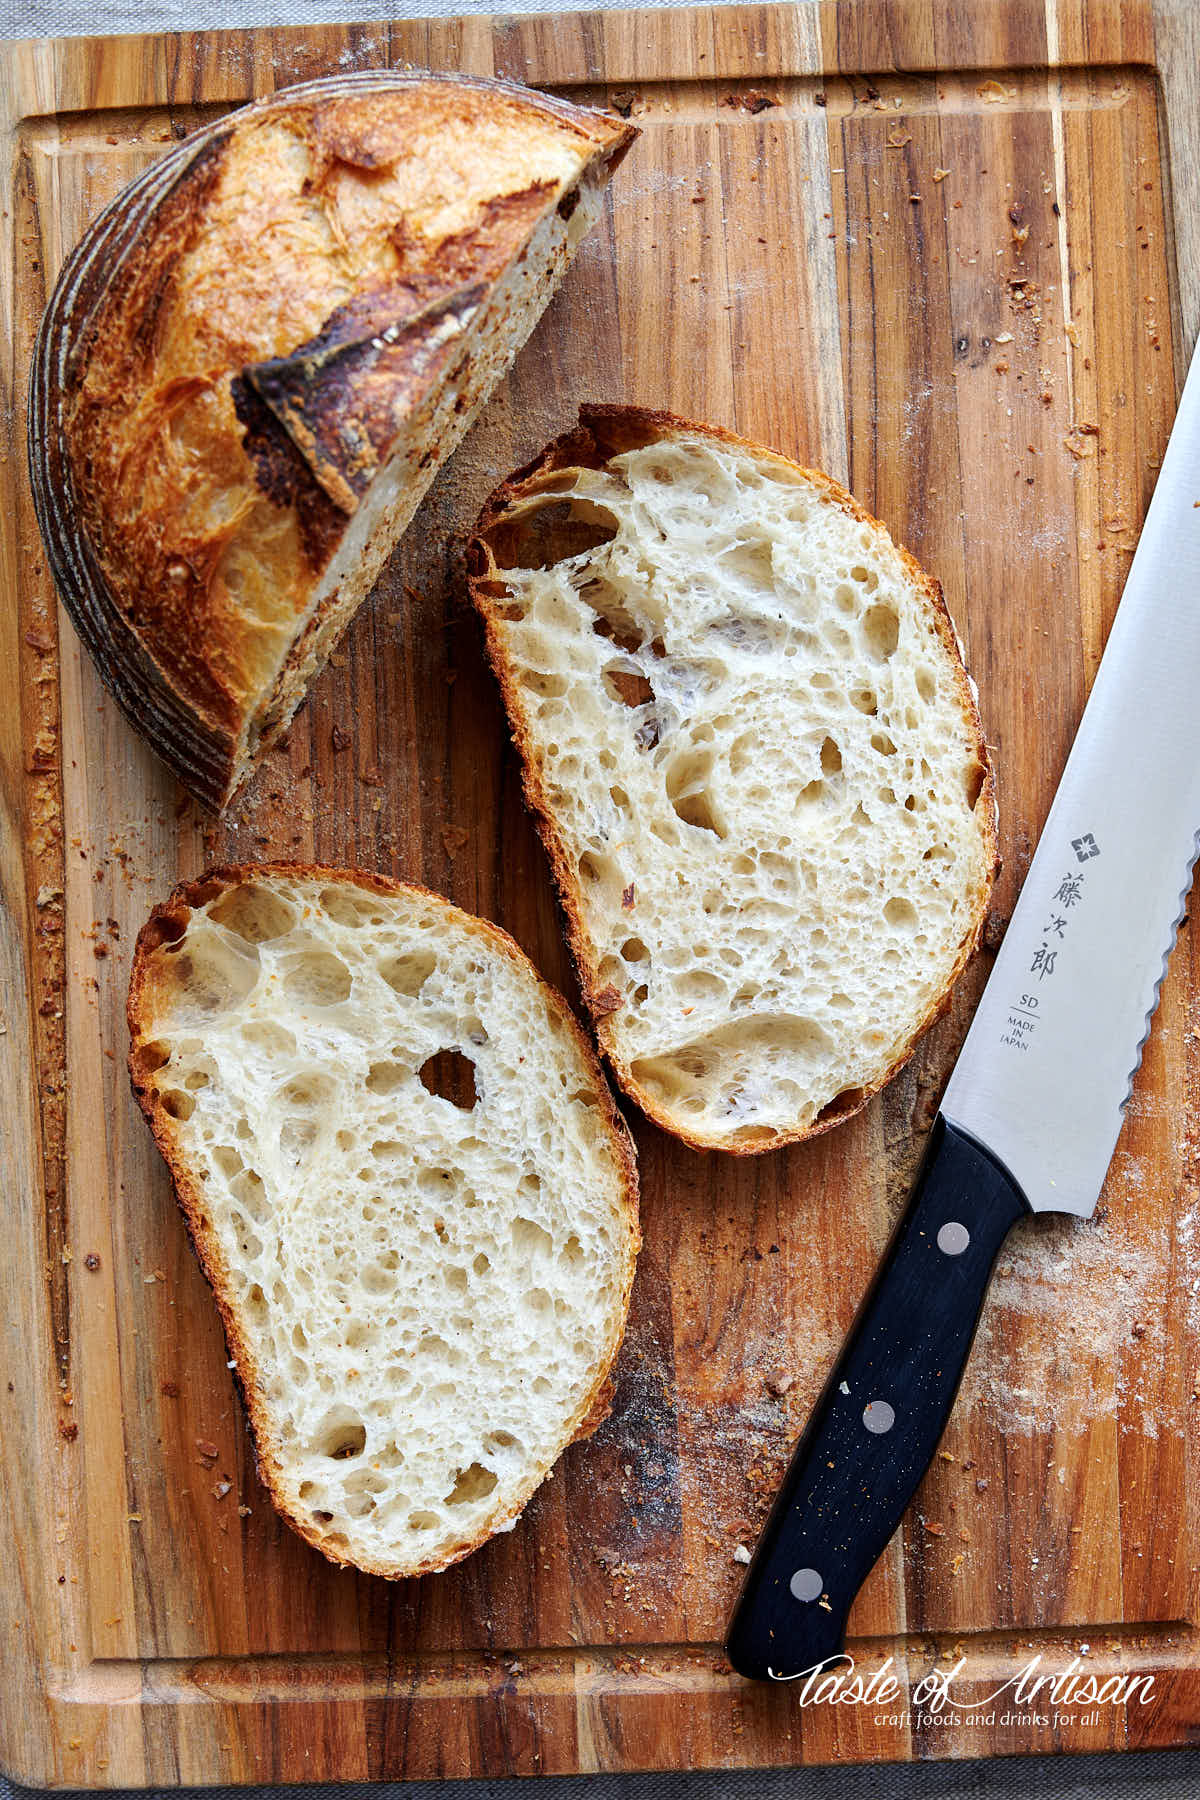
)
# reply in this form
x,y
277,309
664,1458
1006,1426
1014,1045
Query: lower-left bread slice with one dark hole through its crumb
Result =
x,y
409,1187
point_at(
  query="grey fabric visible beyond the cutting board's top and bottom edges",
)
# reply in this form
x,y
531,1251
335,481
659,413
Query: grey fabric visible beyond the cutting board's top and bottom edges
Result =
x,y
1165,1776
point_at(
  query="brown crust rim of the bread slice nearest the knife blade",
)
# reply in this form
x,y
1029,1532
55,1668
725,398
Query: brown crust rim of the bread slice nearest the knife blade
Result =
x,y
605,431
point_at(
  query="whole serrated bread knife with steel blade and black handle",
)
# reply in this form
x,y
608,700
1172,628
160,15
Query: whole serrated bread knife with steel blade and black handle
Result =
x,y
1034,1108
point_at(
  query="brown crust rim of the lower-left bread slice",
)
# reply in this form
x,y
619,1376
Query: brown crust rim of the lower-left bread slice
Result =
x,y
166,924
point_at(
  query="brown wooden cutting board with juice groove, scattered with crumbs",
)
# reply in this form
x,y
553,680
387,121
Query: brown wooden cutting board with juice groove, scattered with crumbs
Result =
x,y
949,253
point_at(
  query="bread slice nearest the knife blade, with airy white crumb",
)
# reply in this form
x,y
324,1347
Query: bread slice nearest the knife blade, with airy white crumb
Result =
x,y
757,764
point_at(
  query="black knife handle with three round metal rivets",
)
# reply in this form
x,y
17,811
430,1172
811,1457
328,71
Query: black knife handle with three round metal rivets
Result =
x,y
877,1425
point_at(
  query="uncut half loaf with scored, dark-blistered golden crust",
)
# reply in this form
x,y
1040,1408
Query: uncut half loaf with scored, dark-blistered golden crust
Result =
x,y
256,361
